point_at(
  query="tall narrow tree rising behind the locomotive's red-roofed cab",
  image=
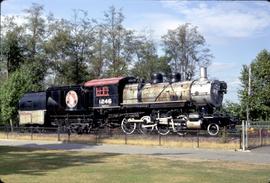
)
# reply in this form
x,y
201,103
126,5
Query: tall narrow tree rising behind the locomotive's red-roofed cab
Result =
x,y
118,43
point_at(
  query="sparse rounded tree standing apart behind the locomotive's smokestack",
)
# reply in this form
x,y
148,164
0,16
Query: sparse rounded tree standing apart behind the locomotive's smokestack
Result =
x,y
187,49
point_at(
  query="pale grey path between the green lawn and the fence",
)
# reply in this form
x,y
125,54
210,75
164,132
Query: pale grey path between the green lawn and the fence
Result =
x,y
258,156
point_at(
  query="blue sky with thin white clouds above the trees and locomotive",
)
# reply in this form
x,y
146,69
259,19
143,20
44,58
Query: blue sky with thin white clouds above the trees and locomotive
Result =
x,y
235,31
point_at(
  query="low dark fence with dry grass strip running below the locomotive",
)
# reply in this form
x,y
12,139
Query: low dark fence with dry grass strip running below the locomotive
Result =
x,y
192,139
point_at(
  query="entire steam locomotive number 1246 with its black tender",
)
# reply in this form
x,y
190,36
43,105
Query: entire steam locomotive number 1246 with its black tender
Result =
x,y
174,106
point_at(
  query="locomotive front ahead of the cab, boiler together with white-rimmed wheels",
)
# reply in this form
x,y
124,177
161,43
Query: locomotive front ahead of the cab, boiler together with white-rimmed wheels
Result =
x,y
176,105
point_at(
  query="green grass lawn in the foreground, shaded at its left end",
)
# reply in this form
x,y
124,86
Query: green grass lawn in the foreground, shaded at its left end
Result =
x,y
20,165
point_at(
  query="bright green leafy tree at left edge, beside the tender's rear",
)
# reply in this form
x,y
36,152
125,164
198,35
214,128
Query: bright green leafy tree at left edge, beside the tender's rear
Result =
x,y
11,90
